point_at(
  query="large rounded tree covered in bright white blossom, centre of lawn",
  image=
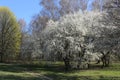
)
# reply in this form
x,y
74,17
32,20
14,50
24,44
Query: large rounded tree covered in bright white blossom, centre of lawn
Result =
x,y
69,37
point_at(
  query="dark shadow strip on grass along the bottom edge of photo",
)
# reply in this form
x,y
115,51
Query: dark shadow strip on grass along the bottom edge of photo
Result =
x,y
56,77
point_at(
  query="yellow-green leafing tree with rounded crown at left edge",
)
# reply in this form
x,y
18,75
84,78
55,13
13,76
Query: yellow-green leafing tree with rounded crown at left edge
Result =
x,y
9,33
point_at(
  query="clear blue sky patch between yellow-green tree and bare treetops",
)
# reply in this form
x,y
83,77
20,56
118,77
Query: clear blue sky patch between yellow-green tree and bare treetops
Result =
x,y
24,9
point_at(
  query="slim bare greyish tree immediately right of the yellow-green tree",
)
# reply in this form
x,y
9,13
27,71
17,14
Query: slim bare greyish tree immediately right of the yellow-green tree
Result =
x,y
26,41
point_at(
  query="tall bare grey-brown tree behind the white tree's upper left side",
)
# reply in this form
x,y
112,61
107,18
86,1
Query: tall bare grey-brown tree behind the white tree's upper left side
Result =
x,y
50,10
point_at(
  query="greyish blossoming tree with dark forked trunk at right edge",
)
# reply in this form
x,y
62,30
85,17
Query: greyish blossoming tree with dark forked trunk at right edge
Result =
x,y
109,41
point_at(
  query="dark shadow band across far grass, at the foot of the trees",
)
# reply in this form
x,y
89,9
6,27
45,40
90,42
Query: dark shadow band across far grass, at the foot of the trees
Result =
x,y
55,68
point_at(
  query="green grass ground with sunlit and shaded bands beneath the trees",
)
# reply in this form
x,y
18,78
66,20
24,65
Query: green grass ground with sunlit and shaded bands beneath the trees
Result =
x,y
42,71
